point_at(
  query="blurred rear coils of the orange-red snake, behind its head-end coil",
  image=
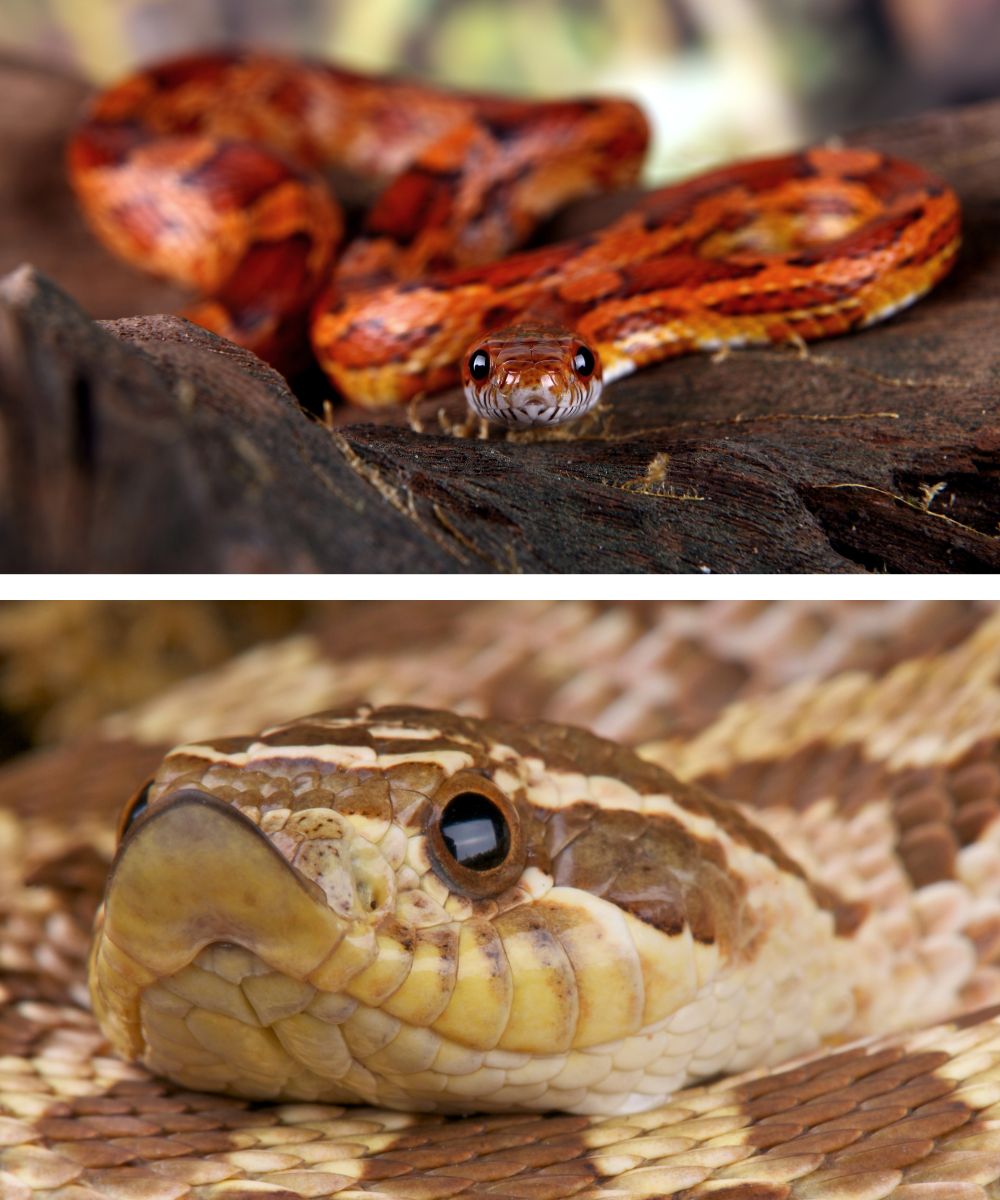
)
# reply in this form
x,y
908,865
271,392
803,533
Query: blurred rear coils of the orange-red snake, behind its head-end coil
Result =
x,y
209,171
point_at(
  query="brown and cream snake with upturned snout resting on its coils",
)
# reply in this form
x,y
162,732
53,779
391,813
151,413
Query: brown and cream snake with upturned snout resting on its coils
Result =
x,y
397,952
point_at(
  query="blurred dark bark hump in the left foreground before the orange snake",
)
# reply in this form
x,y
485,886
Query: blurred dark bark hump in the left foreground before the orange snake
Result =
x,y
169,451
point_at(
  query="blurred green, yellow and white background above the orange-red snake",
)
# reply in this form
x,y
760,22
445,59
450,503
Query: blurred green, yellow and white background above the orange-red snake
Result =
x,y
720,79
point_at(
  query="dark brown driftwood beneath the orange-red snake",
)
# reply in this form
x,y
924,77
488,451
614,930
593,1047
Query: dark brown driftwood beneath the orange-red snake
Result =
x,y
148,446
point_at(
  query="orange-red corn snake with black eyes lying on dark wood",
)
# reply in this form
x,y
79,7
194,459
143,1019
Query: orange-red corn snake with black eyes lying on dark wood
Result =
x,y
215,172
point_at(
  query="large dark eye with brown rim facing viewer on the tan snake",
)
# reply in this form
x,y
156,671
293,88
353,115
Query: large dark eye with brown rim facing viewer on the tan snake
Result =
x,y
475,836
